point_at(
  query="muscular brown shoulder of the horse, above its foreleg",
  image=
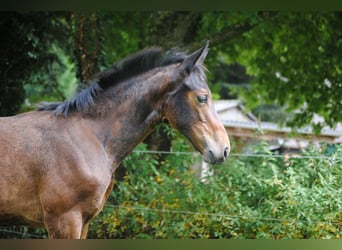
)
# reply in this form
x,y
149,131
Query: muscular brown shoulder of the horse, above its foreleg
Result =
x,y
81,173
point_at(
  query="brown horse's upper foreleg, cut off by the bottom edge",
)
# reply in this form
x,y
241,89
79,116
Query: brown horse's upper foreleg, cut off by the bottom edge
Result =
x,y
68,225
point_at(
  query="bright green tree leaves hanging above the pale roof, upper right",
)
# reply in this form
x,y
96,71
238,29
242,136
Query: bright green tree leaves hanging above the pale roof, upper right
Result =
x,y
295,59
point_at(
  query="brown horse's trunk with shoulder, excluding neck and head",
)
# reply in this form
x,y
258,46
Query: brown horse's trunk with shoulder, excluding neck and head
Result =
x,y
38,184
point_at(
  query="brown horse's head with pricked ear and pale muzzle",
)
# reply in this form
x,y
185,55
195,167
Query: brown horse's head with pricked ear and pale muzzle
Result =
x,y
189,108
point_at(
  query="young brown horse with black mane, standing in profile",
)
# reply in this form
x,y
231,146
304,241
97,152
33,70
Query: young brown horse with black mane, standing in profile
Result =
x,y
57,163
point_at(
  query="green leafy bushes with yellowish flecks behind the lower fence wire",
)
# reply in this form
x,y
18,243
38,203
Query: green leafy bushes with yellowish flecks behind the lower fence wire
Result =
x,y
261,197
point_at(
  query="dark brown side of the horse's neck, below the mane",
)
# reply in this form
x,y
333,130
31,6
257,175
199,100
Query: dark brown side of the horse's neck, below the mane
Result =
x,y
132,113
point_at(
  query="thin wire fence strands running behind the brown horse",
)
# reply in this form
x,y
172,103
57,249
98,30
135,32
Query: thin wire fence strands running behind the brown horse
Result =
x,y
22,231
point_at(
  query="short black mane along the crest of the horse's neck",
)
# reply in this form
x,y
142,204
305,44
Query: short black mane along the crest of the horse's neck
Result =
x,y
129,67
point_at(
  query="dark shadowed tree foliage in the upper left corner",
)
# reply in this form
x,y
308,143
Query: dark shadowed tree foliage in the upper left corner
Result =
x,y
25,52
